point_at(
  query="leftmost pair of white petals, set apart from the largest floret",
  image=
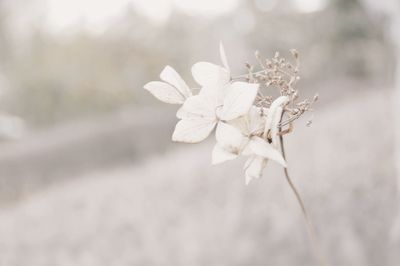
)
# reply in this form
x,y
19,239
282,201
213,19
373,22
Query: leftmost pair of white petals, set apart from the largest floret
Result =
x,y
173,90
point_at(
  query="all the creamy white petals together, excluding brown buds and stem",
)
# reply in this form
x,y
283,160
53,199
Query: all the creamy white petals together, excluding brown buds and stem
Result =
x,y
242,129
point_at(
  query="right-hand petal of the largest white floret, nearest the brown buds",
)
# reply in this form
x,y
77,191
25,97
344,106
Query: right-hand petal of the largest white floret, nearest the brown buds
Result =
x,y
238,100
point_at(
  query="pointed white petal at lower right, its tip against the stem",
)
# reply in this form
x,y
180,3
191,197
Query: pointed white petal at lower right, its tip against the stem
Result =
x,y
264,149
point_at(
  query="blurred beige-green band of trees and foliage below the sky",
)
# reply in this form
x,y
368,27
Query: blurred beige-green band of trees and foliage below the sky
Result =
x,y
53,77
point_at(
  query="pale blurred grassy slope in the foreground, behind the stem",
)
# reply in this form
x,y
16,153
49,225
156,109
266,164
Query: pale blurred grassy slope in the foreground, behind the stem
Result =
x,y
176,209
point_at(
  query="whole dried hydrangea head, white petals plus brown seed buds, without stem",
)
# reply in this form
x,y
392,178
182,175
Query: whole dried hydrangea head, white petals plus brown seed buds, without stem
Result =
x,y
247,123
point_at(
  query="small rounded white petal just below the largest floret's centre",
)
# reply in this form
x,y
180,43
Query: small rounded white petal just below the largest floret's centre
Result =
x,y
229,137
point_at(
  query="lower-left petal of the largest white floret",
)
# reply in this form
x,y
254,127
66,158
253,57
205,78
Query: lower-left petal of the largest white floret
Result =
x,y
193,131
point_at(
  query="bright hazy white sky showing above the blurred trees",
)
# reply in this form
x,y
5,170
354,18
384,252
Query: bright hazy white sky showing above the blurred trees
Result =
x,y
62,15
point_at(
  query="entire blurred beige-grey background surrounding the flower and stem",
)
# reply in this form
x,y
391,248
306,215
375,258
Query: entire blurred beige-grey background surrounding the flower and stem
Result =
x,y
88,173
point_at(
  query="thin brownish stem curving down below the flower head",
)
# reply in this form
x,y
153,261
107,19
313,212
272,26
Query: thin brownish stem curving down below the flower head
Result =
x,y
310,228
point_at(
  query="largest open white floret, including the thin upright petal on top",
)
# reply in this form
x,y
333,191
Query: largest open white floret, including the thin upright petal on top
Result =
x,y
218,100
